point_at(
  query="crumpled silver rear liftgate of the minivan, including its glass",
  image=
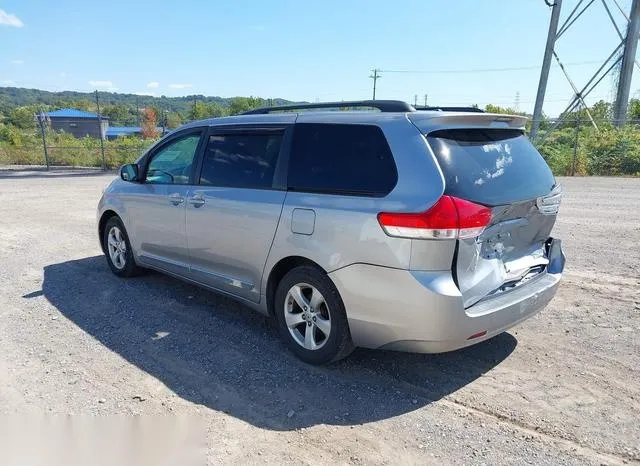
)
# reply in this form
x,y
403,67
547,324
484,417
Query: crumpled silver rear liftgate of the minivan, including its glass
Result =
x,y
498,168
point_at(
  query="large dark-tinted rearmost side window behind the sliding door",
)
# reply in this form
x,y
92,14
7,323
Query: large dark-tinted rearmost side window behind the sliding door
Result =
x,y
341,159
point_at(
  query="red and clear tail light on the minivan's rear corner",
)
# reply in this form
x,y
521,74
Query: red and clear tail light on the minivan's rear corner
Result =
x,y
449,218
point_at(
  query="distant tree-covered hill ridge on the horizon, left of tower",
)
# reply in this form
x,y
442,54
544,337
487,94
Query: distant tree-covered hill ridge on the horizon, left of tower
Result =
x,y
11,97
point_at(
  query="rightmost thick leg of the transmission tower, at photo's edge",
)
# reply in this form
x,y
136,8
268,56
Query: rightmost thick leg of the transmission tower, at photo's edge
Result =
x,y
626,69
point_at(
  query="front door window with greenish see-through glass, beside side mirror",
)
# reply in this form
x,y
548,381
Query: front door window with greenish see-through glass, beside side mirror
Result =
x,y
172,164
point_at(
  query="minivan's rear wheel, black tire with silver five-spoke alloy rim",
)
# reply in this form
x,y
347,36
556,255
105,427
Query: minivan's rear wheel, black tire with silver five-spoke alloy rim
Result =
x,y
294,321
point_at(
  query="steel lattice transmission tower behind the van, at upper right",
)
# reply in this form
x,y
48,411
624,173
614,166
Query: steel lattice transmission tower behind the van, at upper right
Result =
x,y
628,46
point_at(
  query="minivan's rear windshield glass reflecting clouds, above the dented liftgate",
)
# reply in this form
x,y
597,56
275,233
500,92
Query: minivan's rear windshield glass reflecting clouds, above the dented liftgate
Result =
x,y
491,166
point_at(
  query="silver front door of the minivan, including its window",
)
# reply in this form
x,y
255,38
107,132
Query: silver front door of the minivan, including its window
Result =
x,y
157,206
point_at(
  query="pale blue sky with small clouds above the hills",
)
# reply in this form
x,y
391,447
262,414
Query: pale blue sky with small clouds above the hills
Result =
x,y
458,52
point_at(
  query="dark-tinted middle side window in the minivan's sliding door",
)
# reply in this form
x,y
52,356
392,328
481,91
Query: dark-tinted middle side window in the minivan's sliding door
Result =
x,y
241,160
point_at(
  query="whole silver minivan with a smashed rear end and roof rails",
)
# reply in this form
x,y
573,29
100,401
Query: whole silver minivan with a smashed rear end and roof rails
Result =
x,y
363,223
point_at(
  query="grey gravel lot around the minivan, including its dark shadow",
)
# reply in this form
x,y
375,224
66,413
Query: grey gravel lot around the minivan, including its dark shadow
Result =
x,y
564,387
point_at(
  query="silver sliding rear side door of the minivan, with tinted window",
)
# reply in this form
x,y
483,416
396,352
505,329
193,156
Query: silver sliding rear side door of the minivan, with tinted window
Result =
x,y
233,212
